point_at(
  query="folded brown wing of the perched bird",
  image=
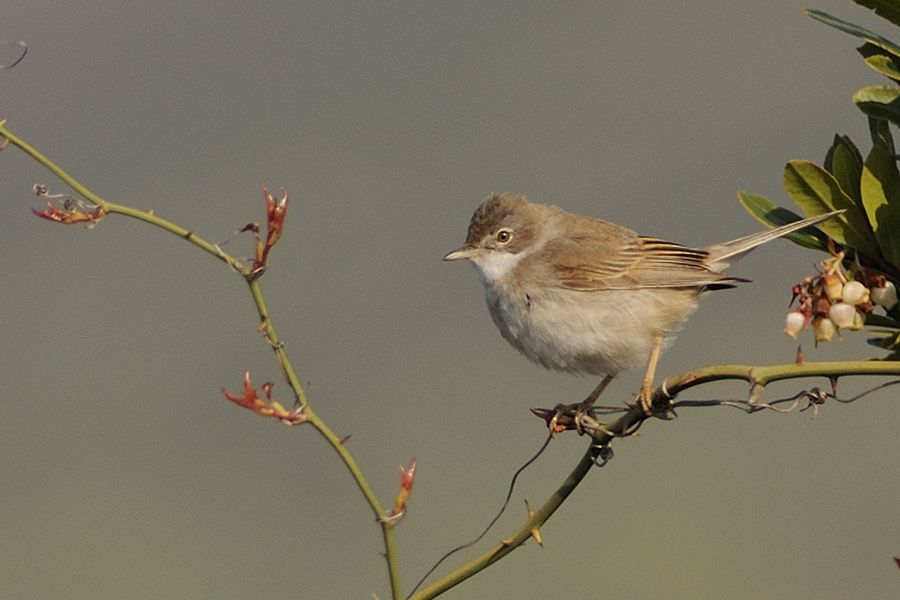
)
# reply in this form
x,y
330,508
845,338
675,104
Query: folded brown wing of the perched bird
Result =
x,y
626,261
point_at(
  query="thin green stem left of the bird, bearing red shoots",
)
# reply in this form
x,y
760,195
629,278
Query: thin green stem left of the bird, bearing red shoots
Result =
x,y
266,327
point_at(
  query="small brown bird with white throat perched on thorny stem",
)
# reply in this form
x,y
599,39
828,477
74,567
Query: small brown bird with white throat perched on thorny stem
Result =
x,y
579,294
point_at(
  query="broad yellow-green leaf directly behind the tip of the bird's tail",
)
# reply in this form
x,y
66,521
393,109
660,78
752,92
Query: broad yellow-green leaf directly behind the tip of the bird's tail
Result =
x,y
817,192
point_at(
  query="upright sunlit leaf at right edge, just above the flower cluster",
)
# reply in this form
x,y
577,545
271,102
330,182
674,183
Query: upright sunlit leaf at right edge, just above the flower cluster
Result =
x,y
880,186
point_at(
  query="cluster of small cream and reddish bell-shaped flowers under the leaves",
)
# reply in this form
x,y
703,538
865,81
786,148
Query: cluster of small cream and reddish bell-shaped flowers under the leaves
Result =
x,y
835,300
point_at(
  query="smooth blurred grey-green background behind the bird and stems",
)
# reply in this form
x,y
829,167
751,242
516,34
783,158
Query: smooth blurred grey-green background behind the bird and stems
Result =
x,y
125,474
